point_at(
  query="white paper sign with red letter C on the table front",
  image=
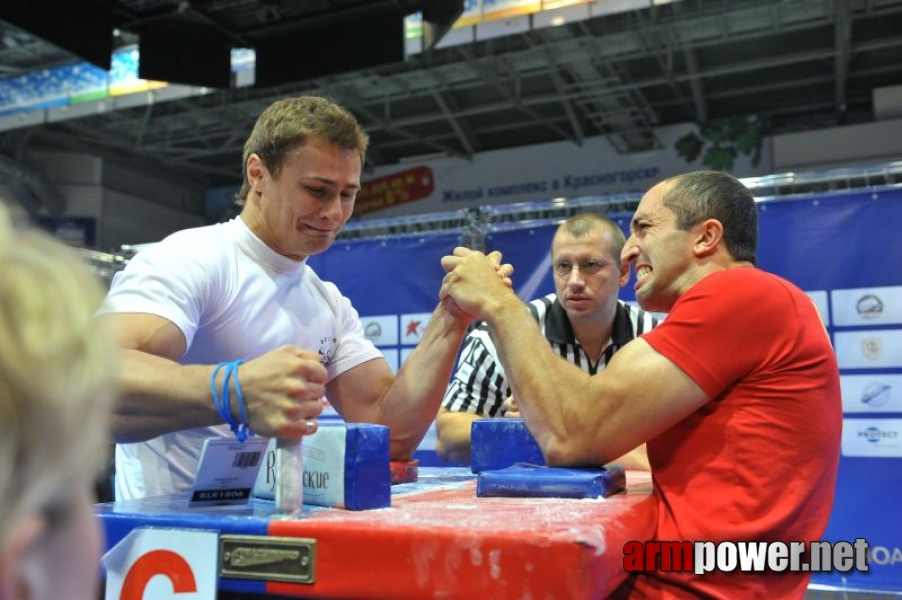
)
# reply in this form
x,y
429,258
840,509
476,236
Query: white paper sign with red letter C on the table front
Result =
x,y
163,563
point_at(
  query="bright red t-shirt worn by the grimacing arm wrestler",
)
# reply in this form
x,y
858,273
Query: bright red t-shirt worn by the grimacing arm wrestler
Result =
x,y
758,462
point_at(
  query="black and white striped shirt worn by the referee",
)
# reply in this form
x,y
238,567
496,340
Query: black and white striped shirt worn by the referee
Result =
x,y
479,385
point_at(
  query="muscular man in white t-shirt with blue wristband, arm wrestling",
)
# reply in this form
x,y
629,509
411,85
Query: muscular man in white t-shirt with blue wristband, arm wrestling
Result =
x,y
242,290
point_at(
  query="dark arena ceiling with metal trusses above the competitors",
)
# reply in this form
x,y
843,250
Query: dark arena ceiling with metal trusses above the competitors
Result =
x,y
796,65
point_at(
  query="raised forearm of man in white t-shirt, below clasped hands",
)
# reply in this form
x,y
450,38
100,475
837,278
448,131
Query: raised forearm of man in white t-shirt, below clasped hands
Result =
x,y
413,399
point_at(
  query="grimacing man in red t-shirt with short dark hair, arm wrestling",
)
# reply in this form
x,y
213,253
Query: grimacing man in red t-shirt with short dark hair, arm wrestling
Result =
x,y
736,393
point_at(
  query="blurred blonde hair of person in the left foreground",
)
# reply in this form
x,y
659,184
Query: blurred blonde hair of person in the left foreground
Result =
x,y
56,372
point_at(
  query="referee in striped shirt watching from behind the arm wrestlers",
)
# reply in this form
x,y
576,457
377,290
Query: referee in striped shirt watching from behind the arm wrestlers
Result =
x,y
583,321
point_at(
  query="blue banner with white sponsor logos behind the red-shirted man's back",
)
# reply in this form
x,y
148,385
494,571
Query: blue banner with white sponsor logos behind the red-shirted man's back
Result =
x,y
840,246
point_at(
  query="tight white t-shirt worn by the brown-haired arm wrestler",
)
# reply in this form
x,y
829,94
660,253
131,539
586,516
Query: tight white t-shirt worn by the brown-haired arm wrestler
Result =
x,y
233,298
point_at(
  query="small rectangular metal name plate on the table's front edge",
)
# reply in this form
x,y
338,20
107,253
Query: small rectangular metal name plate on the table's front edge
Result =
x,y
265,558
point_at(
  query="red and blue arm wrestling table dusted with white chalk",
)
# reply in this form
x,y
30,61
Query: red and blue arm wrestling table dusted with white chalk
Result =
x,y
437,540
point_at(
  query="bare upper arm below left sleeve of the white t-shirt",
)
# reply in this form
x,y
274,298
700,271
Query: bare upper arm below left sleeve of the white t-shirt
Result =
x,y
147,333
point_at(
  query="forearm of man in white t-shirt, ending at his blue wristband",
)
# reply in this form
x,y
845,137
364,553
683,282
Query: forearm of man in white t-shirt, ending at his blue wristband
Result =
x,y
158,395
